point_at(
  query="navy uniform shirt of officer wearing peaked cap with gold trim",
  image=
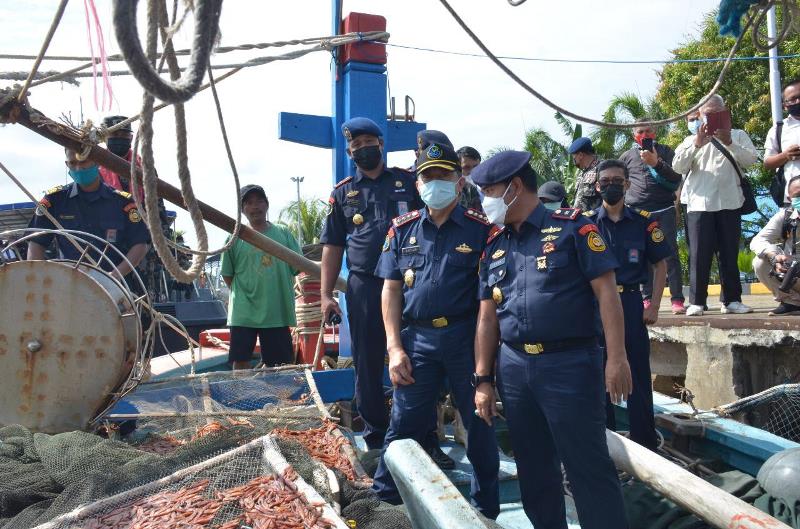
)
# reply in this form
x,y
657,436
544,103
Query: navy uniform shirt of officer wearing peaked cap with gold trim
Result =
x,y
438,266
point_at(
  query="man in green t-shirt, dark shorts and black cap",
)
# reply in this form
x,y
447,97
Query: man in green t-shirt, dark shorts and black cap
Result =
x,y
261,303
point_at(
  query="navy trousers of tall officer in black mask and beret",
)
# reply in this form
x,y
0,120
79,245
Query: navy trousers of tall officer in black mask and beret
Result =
x,y
369,353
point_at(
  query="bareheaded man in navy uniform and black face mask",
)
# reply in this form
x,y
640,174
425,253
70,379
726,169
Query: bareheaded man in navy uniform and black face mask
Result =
x,y
636,241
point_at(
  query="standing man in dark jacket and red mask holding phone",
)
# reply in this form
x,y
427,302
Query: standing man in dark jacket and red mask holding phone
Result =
x,y
653,184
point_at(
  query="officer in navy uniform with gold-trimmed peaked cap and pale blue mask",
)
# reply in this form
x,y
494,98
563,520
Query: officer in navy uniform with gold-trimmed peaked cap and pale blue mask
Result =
x,y
430,268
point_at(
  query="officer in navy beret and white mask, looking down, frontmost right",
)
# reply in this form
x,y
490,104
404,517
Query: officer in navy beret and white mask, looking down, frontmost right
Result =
x,y
539,278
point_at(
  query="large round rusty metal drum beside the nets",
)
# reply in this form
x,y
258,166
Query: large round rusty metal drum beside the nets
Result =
x,y
68,341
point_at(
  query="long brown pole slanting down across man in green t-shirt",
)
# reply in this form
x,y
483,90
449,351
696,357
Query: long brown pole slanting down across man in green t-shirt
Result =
x,y
67,137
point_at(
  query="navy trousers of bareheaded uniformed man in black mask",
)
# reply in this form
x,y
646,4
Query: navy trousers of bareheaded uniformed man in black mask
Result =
x,y
640,402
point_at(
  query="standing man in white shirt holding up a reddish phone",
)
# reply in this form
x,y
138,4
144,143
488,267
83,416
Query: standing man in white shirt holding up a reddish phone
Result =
x,y
714,198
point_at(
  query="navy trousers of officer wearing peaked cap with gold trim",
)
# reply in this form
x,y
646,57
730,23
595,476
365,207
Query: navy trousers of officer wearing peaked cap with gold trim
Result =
x,y
436,354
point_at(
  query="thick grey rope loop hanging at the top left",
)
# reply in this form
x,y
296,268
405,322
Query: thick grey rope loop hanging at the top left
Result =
x,y
182,89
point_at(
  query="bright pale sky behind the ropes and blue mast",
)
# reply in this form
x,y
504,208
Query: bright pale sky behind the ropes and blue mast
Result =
x,y
467,97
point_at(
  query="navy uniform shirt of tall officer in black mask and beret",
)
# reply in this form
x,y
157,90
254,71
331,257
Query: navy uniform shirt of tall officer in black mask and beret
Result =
x,y
360,211
